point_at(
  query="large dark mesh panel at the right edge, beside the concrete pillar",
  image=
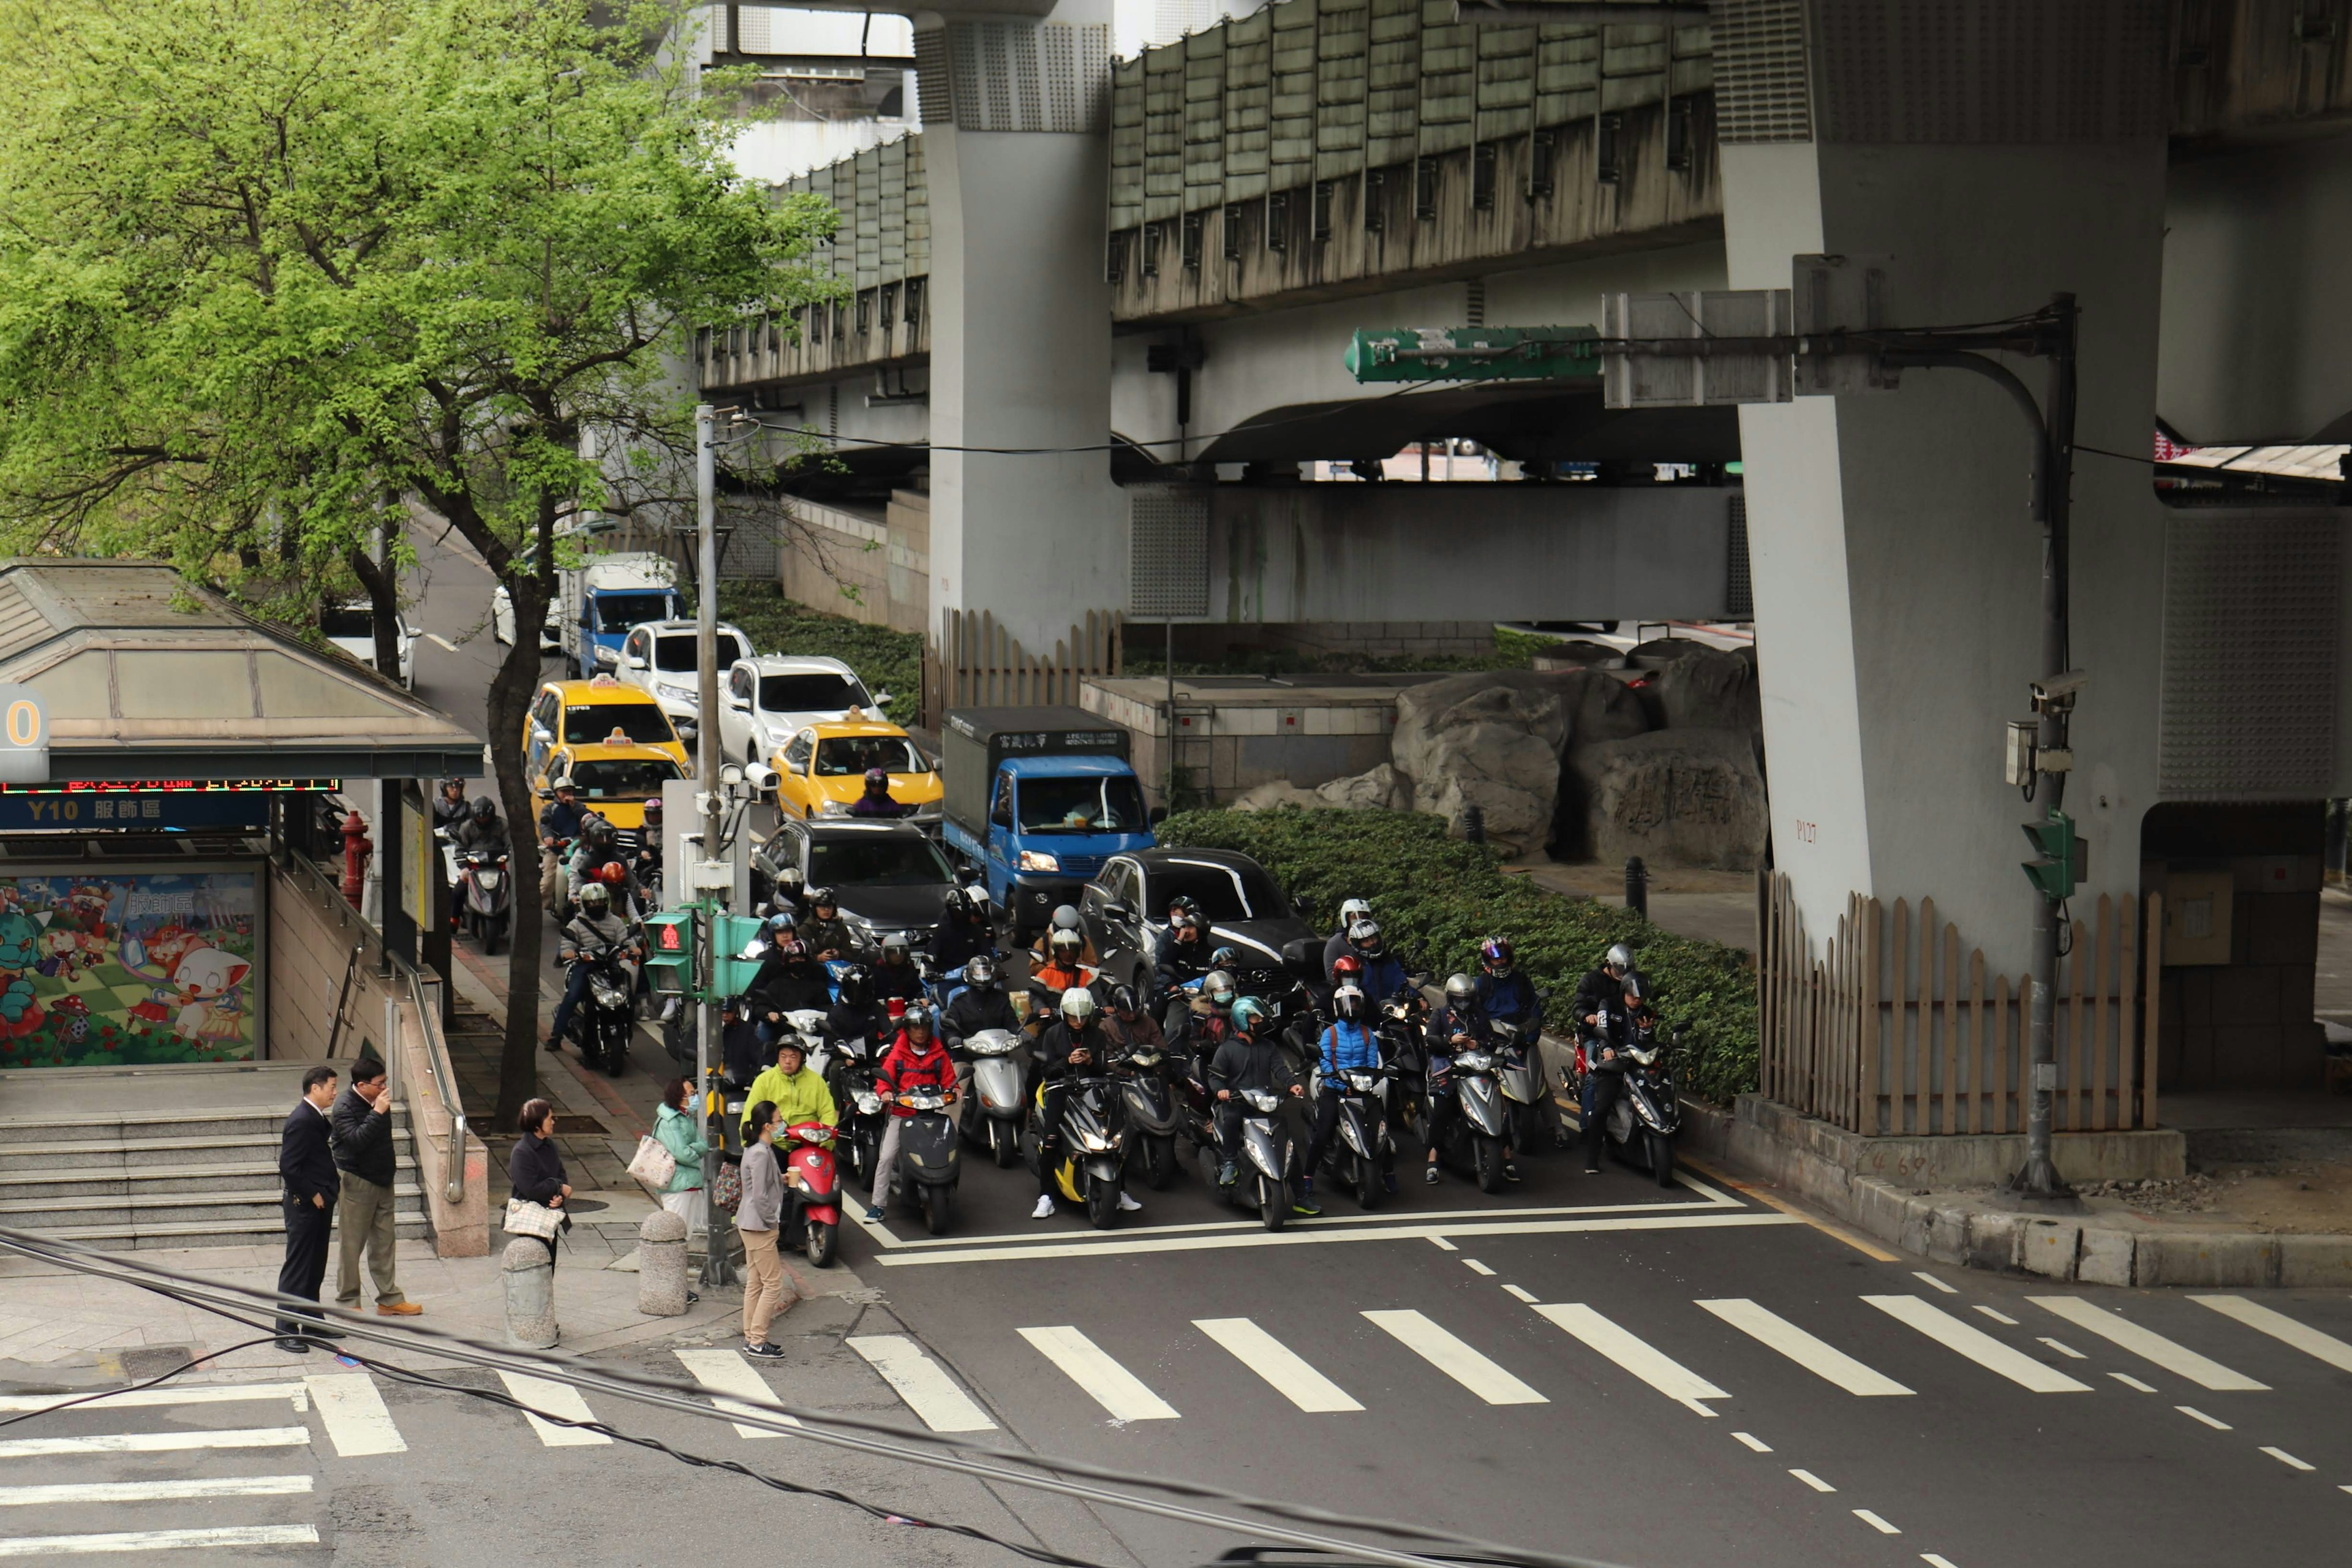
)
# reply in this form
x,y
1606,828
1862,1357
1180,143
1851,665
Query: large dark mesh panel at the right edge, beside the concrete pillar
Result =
x,y
2250,657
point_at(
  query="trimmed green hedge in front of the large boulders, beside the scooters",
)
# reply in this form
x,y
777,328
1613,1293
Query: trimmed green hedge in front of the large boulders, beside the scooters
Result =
x,y
1438,899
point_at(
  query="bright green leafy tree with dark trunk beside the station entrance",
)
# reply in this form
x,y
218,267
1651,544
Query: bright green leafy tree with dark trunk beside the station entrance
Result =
x,y
274,274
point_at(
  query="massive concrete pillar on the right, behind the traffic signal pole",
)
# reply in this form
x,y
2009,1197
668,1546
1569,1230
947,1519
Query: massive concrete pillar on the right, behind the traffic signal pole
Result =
x,y
1998,154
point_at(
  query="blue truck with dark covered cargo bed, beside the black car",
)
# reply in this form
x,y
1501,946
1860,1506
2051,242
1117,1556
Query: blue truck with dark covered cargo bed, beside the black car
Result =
x,y
1038,798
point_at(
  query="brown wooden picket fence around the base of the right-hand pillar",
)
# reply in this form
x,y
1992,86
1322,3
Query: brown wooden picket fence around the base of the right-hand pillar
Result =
x,y
1897,1031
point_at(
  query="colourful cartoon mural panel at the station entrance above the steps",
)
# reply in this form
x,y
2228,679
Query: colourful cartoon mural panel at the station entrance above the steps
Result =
x,y
128,967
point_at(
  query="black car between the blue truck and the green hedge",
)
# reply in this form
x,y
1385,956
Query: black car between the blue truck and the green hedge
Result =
x,y
1128,909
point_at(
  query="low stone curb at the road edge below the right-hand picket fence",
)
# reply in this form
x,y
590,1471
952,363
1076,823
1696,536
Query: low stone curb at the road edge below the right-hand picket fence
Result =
x,y
1967,1233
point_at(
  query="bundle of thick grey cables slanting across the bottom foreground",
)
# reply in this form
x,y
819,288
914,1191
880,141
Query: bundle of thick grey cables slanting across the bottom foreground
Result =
x,y
956,1456
